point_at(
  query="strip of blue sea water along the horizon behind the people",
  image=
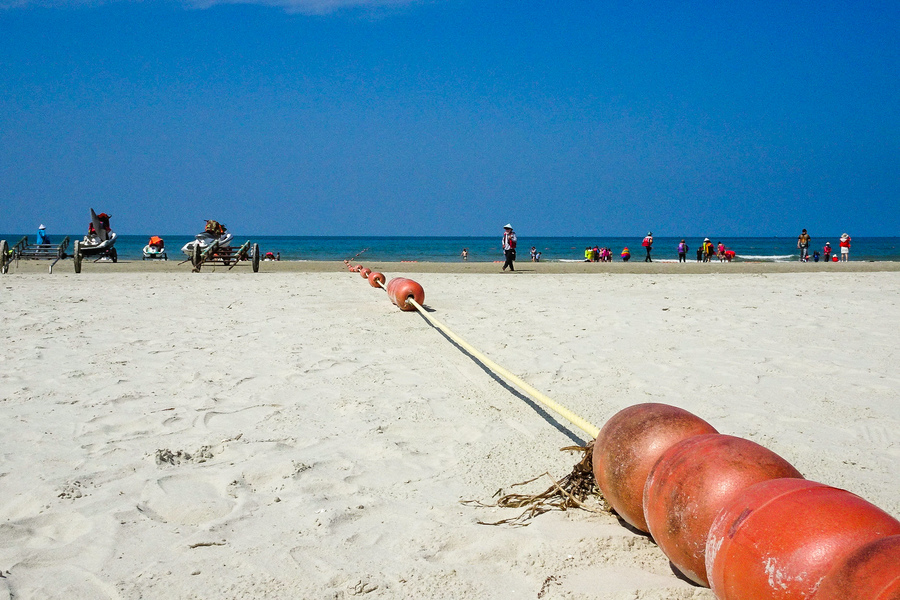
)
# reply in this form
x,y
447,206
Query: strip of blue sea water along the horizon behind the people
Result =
x,y
487,249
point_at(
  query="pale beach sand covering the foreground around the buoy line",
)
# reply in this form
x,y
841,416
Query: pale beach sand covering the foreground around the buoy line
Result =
x,y
291,434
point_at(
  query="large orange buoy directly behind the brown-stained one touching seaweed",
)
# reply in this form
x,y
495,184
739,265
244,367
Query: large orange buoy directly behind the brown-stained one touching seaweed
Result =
x,y
691,483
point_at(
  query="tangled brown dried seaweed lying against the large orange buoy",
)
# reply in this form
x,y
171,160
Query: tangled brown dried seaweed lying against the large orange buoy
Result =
x,y
572,491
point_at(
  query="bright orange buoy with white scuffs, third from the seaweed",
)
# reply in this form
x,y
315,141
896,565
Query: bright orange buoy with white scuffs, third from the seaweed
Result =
x,y
777,539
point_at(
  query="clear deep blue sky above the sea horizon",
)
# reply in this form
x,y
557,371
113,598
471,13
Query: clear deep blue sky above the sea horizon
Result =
x,y
332,117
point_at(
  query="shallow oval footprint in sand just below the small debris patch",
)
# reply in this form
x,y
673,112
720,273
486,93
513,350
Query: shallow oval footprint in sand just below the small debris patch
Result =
x,y
185,500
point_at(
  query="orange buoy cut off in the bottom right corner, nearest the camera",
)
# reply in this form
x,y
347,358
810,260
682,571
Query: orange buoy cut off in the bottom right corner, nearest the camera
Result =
x,y
872,572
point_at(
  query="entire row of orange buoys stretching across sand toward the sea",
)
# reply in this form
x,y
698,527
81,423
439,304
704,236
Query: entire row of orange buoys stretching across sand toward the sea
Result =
x,y
729,513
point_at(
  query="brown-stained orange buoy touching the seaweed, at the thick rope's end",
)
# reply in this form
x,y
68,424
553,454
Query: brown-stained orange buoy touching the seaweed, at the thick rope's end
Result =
x,y
629,445
